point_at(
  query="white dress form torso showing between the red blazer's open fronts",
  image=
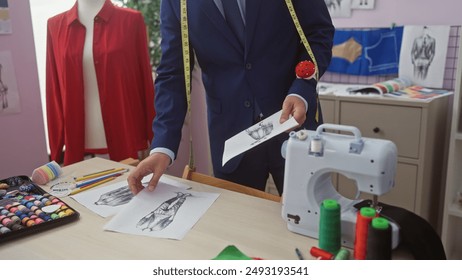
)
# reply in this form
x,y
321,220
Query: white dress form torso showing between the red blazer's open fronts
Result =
x,y
95,137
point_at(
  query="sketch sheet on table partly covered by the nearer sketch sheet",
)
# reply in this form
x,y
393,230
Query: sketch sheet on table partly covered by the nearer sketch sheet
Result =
x,y
108,200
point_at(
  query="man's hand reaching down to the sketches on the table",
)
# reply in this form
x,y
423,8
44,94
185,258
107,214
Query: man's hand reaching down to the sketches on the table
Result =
x,y
156,164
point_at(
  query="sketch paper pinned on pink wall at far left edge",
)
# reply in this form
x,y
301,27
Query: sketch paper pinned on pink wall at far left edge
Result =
x,y
9,96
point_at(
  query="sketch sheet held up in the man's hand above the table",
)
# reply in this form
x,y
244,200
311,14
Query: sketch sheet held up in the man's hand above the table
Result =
x,y
255,135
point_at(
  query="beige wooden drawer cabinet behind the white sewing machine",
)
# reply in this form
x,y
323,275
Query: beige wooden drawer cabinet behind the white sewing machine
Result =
x,y
420,132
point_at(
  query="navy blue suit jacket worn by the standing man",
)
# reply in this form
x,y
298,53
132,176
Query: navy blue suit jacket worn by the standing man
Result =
x,y
234,77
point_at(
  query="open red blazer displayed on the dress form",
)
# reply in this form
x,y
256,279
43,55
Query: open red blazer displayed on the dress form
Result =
x,y
125,83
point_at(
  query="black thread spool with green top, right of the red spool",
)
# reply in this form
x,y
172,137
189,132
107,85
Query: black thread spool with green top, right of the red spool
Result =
x,y
379,240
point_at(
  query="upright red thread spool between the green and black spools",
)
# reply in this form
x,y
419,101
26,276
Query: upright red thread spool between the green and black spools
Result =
x,y
364,218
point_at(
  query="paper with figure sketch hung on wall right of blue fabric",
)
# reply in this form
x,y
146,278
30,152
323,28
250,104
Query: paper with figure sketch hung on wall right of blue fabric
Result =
x,y
423,55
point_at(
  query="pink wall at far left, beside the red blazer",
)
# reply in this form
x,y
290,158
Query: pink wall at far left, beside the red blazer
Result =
x,y
22,135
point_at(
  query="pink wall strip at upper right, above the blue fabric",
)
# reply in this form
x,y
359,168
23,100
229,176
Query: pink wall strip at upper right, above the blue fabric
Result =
x,y
402,12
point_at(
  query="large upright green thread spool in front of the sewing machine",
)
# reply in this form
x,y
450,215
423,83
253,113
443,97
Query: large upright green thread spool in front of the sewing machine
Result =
x,y
329,226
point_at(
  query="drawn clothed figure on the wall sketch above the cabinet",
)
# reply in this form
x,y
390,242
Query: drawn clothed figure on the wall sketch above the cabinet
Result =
x,y
422,54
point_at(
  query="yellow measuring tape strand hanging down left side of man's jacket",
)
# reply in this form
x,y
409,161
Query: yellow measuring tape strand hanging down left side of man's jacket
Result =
x,y
187,72
